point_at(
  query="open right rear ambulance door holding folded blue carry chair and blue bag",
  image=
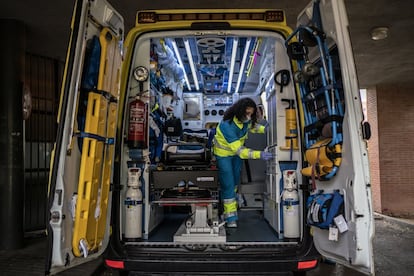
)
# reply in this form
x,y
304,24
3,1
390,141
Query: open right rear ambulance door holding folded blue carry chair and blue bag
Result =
x,y
334,135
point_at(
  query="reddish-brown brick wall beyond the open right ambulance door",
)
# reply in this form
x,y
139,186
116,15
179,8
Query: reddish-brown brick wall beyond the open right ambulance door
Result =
x,y
395,116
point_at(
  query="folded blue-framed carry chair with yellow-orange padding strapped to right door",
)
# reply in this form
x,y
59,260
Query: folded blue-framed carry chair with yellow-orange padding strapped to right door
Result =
x,y
321,98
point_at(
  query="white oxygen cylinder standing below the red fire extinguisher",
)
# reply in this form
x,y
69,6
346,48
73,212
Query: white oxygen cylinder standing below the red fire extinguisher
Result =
x,y
133,205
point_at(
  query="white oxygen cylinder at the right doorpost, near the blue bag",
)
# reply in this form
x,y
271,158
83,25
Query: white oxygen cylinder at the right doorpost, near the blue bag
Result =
x,y
290,202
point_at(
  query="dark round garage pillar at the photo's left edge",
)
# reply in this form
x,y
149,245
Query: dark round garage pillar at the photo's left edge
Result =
x,y
12,57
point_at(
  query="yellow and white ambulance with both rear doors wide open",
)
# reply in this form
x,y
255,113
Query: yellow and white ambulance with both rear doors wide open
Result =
x,y
134,178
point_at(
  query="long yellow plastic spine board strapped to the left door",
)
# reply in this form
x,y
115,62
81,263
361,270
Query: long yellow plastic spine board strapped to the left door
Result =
x,y
97,150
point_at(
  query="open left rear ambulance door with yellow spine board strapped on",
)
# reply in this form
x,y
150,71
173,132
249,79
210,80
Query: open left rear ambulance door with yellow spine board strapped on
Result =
x,y
82,161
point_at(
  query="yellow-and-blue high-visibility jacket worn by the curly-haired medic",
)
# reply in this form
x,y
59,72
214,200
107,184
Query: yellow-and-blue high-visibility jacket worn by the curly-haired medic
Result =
x,y
230,137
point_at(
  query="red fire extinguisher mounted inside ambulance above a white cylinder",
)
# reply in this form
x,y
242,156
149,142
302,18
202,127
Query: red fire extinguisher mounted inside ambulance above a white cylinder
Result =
x,y
138,124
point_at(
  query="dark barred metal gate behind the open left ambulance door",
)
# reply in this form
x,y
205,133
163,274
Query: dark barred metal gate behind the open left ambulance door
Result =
x,y
43,81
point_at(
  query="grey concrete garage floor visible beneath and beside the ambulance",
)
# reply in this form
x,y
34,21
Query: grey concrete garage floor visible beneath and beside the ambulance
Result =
x,y
393,254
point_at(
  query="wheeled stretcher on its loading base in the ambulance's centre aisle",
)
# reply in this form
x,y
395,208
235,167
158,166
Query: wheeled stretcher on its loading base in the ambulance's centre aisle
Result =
x,y
189,179
